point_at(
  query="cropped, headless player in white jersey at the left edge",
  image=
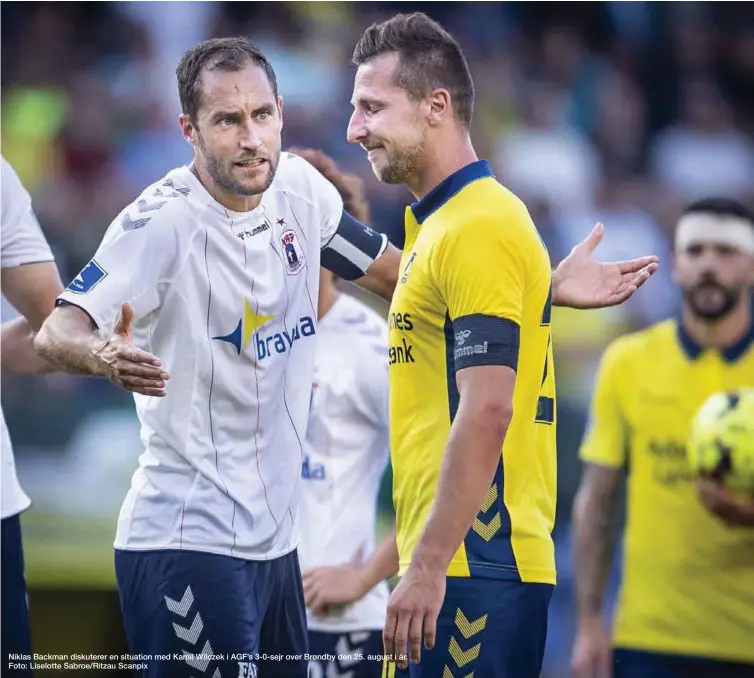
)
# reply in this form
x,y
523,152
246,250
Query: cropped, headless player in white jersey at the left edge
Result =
x,y
31,283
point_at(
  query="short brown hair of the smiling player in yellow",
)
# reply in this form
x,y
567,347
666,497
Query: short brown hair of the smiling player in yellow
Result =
x,y
429,57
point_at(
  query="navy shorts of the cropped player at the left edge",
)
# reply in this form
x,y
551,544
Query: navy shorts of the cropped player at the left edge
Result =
x,y
16,634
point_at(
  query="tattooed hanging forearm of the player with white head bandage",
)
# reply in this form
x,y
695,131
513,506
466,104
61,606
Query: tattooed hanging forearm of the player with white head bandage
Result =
x,y
595,530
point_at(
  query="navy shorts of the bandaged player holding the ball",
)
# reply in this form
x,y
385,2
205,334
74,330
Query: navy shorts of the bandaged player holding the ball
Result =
x,y
640,664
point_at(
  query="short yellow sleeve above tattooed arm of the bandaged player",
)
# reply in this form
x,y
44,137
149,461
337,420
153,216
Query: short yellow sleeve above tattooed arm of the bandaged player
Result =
x,y
606,438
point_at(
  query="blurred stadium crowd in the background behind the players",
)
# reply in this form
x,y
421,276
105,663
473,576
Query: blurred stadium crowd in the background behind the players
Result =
x,y
617,112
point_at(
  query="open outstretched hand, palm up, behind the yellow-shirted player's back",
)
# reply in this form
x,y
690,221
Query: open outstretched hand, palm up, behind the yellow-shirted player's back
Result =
x,y
583,282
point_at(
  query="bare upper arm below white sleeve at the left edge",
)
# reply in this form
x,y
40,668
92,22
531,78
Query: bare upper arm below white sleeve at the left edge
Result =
x,y
32,290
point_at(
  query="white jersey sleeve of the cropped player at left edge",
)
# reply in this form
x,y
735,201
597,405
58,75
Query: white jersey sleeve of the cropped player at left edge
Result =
x,y
22,239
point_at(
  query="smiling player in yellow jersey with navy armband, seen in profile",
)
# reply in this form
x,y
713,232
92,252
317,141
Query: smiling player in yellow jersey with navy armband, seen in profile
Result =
x,y
472,387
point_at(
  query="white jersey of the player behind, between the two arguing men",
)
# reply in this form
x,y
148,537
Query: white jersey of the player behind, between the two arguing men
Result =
x,y
346,454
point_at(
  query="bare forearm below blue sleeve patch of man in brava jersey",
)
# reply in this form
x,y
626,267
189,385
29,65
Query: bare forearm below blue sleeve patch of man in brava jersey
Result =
x,y
70,346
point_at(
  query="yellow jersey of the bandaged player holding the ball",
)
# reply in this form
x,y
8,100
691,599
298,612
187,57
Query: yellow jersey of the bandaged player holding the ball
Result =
x,y
688,579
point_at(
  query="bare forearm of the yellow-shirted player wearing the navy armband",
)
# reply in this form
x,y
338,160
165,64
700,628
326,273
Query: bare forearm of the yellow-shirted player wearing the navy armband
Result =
x,y
471,457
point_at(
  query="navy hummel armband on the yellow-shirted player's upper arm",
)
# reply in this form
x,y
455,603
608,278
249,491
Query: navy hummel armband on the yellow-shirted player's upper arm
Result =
x,y
480,339
